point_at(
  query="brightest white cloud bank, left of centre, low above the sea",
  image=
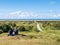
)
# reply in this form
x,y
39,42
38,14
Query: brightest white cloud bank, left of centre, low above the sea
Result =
x,y
23,15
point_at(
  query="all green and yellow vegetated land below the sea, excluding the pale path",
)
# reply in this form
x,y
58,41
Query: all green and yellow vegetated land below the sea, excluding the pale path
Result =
x,y
28,33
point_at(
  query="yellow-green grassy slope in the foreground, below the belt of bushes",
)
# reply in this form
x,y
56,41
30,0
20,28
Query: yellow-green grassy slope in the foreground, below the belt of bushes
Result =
x,y
49,37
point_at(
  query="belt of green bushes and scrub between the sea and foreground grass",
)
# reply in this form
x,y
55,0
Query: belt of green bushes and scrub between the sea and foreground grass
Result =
x,y
29,25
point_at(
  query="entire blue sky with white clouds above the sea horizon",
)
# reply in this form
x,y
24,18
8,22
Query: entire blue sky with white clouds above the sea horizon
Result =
x,y
29,9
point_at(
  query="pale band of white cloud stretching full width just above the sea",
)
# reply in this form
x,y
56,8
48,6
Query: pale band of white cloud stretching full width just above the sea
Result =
x,y
29,15
